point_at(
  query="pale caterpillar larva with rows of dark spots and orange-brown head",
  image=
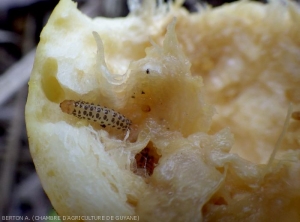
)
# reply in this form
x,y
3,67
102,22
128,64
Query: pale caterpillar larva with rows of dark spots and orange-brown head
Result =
x,y
95,113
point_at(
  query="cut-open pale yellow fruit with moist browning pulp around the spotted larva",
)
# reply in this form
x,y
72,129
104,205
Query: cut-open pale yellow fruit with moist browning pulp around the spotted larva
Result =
x,y
196,156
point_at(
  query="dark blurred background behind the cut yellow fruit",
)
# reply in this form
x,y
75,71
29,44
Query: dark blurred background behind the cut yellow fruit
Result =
x,y
21,22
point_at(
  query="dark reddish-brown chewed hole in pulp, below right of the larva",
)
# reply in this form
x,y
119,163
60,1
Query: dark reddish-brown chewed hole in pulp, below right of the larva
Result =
x,y
147,160
